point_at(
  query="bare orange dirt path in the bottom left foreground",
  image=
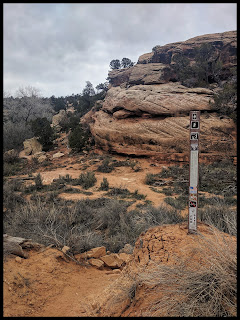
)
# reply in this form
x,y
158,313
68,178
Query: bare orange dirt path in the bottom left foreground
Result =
x,y
44,285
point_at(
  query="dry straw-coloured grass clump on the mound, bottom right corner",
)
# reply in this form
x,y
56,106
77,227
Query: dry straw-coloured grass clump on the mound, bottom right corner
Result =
x,y
201,285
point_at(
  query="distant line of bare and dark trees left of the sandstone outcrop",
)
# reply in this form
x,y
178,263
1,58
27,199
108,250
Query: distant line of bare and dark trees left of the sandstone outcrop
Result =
x,y
28,115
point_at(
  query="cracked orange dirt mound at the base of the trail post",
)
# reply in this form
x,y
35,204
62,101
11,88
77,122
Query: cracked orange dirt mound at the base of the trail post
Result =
x,y
169,245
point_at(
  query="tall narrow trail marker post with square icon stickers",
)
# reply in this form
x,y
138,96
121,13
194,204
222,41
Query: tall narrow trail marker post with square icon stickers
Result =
x,y
193,171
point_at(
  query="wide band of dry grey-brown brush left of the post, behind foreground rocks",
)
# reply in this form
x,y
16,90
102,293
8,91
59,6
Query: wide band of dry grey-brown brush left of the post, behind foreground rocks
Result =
x,y
83,224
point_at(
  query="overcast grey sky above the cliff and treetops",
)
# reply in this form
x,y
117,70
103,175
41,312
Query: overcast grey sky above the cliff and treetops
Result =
x,y
57,47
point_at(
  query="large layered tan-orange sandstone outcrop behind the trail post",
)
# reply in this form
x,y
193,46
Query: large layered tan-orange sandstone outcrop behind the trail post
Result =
x,y
146,110
